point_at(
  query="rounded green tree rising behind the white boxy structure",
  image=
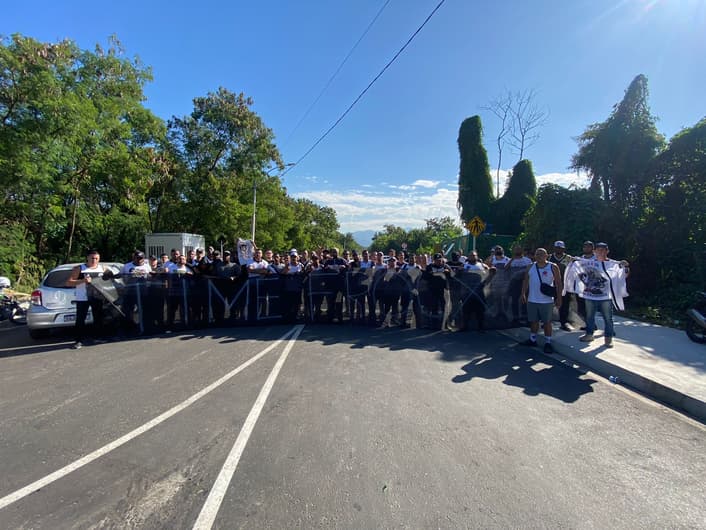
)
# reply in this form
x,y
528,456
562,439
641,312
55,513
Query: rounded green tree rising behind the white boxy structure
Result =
x,y
219,153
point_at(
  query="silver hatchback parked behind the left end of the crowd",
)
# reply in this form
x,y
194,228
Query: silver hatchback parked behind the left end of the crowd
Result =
x,y
52,304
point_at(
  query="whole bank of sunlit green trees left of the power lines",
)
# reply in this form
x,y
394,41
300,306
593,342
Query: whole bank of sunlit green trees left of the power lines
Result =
x,y
83,163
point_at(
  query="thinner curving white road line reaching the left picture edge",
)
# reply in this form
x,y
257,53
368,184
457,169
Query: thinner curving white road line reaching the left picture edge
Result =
x,y
60,473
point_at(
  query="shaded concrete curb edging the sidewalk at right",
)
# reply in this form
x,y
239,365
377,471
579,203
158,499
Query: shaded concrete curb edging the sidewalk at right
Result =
x,y
694,407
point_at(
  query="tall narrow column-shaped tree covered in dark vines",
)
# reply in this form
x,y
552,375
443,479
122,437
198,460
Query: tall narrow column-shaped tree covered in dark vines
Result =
x,y
475,188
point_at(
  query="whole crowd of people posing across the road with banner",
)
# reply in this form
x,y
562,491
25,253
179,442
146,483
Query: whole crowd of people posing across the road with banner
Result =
x,y
402,289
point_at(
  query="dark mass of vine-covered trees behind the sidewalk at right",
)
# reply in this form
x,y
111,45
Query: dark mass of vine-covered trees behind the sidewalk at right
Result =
x,y
647,200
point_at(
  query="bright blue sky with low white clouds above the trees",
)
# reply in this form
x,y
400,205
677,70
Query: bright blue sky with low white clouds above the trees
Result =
x,y
394,158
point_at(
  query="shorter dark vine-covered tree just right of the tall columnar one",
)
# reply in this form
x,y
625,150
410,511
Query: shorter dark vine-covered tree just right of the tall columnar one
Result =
x,y
517,199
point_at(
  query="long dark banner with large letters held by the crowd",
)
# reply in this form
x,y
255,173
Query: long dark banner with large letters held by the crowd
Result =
x,y
455,300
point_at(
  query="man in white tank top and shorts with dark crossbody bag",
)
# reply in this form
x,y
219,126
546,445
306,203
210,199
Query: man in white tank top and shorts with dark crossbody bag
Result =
x,y
540,305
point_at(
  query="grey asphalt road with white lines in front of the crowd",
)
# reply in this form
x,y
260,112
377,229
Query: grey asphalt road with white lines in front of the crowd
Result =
x,y
341,428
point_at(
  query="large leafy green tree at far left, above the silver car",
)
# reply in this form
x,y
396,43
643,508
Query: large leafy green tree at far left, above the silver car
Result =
x,y
75,142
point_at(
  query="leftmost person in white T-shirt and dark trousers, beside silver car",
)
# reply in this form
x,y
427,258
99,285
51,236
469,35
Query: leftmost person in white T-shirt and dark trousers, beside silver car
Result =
x,y
86,296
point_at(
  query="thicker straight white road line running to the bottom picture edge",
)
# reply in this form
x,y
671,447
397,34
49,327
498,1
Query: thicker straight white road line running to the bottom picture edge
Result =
x,y
215,497
